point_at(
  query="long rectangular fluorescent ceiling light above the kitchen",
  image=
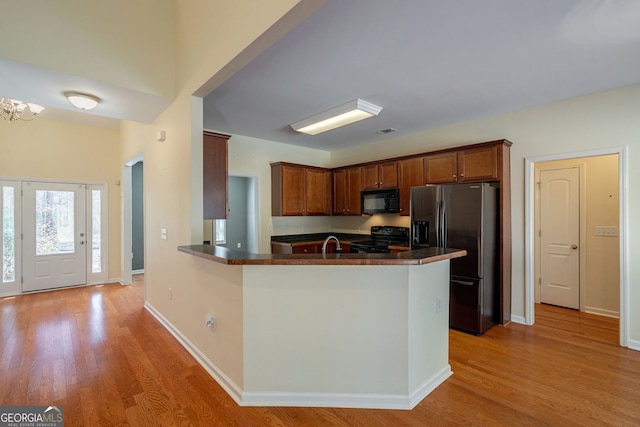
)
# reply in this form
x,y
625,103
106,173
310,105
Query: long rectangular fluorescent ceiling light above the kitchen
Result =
x,y
336,117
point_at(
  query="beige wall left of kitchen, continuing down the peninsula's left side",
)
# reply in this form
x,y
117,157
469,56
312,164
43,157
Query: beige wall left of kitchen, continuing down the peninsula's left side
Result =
x,y
206,42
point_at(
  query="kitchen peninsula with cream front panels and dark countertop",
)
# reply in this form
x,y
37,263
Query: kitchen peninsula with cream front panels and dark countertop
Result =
x,y
335,330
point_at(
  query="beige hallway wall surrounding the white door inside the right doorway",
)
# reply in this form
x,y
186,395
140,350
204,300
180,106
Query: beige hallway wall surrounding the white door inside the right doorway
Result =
x,y
602,254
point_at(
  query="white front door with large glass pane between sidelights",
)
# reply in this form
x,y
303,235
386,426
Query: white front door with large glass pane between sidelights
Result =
x,y
54,235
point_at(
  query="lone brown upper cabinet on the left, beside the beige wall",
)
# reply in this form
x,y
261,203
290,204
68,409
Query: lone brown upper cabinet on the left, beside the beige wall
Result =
x,y
215,175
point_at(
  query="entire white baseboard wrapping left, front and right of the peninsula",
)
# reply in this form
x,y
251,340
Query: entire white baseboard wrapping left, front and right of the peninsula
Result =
x,y
330,400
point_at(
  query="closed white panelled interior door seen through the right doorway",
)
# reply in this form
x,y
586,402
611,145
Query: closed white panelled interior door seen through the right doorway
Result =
x,y
560,237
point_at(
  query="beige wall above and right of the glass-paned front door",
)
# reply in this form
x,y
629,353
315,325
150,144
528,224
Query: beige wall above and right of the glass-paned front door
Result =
x,y
50,150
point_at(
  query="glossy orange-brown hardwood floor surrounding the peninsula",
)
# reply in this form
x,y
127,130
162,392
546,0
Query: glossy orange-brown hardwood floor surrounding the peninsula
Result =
x,y
98,353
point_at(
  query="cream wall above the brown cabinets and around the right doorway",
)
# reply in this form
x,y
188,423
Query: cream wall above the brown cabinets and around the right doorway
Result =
x,y
607,119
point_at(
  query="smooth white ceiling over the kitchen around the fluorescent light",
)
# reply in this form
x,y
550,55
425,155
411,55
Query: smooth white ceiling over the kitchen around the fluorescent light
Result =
x,y
428,63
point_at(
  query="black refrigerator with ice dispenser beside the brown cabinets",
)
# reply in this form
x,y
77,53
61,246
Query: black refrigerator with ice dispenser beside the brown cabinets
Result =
x,y
462,216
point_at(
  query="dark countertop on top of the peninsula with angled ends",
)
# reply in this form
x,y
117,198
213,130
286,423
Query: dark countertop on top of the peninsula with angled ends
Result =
x,y
236,257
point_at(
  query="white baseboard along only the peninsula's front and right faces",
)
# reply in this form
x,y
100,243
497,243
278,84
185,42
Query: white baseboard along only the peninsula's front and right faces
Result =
x,y
347,400
